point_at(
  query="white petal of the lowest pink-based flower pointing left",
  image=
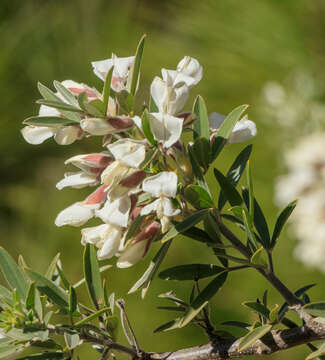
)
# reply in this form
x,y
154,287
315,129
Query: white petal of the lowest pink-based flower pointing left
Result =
x,y
75,215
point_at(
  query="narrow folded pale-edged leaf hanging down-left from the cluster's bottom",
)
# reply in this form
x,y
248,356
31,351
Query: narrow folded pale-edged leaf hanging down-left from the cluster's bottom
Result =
x,y
146,279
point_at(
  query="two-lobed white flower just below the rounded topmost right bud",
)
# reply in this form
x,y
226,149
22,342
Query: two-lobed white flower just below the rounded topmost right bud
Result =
x,y
168,99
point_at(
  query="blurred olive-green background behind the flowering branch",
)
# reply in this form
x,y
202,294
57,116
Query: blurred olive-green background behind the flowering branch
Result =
x,y
241,45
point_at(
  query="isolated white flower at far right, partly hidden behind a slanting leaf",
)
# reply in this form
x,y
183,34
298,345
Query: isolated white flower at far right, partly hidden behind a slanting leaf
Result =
x,y
244,129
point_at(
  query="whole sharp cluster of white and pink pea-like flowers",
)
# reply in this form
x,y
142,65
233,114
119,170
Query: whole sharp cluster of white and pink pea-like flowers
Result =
x,y
140,176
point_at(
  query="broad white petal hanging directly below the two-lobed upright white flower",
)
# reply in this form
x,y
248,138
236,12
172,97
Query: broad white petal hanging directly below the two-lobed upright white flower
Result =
x,y
166,128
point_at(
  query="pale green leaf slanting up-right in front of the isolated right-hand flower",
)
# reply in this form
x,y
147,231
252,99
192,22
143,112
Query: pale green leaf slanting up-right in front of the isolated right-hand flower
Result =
x,y
225,130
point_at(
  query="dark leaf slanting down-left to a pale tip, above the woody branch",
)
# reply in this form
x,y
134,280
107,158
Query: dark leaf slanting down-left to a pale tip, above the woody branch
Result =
x,y
203,298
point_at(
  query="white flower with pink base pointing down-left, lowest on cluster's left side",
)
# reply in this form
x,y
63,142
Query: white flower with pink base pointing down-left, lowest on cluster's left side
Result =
x,y
80,212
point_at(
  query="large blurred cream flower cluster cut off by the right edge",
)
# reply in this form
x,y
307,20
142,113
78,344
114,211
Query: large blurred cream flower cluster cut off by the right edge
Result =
x,y
306,181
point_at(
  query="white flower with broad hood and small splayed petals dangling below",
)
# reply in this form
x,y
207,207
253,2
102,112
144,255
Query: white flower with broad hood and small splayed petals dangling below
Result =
x,y
162,186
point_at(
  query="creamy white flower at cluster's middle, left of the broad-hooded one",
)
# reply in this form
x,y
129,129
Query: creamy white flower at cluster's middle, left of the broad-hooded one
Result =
x,y
128,155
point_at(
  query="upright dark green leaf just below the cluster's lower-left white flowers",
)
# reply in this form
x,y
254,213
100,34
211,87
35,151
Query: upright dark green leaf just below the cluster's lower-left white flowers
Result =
x,y
92,275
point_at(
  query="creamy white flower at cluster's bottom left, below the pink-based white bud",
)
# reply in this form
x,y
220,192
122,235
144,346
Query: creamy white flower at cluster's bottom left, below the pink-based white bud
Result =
x,y
107,238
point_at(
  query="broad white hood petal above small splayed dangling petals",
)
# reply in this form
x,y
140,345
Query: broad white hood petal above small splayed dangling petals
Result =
x,y
162,184
